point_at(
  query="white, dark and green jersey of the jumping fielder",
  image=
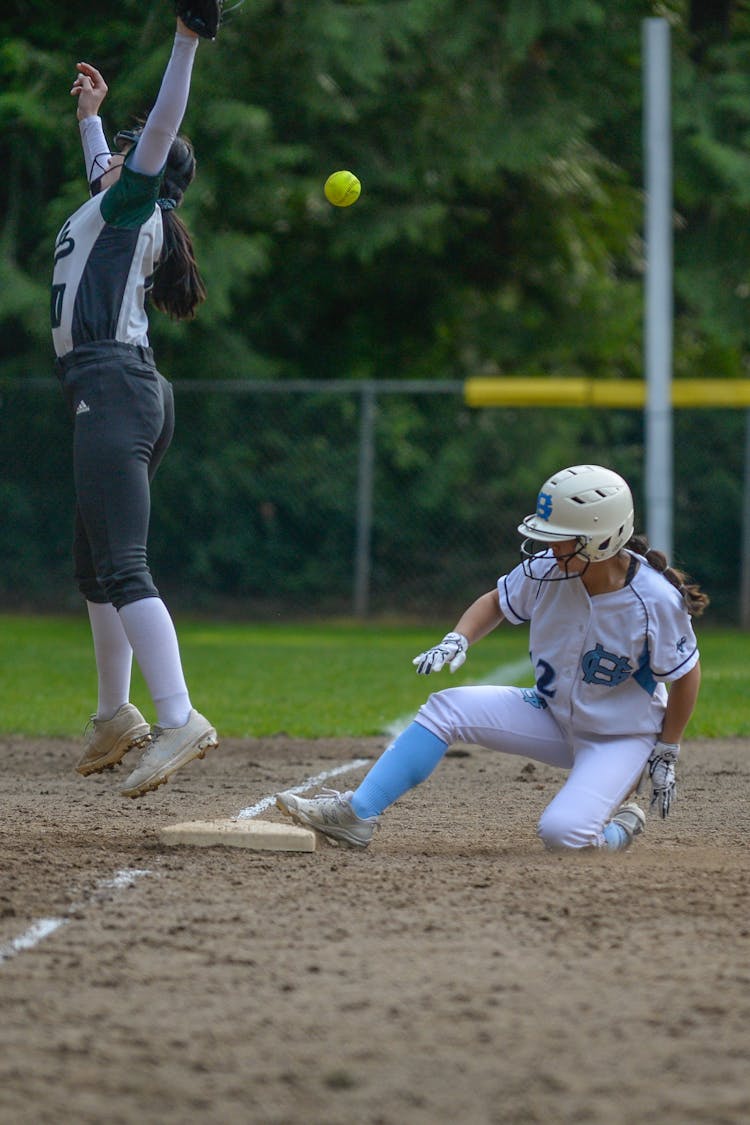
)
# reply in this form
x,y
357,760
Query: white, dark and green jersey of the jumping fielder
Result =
x,y
105,259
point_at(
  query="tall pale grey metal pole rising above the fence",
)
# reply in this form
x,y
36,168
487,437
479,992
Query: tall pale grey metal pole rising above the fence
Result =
x,y
658,284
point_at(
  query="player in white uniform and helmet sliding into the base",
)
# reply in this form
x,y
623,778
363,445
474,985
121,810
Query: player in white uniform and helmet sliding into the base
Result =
x,y
610,626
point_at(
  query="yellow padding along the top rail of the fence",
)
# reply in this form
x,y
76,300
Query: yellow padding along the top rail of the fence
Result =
x,y
629,394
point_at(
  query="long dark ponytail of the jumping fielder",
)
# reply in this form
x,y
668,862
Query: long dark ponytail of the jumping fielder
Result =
x,y
178,287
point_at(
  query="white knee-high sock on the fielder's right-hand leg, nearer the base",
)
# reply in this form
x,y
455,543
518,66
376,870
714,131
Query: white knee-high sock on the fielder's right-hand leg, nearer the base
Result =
x,y
151,633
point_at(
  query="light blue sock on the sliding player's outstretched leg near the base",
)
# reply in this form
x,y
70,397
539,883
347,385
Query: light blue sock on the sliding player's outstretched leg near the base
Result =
x,y
408,762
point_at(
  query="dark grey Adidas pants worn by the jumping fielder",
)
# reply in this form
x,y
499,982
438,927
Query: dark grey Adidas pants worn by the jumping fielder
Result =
x,y
123,413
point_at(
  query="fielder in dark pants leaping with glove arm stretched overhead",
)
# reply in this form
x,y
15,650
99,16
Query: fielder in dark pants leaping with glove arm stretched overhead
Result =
x,y
124,250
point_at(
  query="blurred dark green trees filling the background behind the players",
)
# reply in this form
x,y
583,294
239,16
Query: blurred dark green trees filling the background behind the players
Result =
x,y
500,232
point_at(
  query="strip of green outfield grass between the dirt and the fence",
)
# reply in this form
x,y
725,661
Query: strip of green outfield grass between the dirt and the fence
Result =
x,y
310,681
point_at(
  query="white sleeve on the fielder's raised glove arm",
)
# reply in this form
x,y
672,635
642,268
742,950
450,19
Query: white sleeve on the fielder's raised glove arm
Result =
x,y
165,120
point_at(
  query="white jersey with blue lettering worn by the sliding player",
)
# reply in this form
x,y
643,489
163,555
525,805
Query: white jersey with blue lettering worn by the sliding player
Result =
x,y
602,663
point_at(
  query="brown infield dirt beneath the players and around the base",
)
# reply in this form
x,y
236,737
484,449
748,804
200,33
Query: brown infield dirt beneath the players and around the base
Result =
x,y
454,971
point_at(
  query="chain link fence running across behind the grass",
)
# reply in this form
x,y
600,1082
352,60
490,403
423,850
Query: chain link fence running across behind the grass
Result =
x,y
350,499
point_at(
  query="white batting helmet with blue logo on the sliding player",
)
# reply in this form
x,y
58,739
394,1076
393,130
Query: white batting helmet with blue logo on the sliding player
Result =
x,y
588,503
